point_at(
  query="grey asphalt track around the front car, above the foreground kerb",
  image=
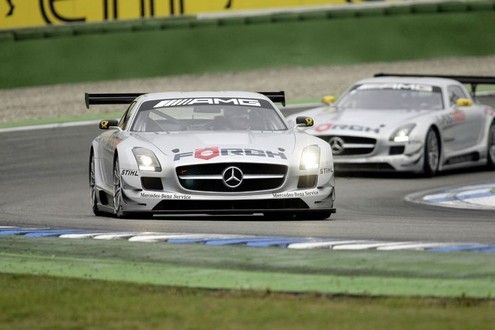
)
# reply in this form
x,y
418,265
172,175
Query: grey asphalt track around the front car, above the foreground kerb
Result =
x,y
44,183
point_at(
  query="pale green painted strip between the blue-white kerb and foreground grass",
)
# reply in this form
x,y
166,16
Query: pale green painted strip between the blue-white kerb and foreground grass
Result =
x,y
195,265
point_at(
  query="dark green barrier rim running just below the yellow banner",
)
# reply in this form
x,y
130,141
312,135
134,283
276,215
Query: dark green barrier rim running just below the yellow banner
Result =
x,y
336,12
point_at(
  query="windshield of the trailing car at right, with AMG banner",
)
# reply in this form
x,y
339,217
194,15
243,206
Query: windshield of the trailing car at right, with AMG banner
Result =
x,y
393,96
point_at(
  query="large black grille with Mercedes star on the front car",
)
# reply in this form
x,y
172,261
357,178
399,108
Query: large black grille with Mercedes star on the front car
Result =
x,y
243,177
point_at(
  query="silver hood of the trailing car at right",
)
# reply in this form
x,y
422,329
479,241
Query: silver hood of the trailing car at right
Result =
x,y
365,121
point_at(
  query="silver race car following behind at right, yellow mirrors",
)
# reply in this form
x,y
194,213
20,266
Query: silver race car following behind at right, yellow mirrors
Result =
x,y
408,123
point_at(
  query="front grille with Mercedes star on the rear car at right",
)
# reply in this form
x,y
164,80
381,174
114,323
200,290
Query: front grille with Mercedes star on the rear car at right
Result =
x,y
350,145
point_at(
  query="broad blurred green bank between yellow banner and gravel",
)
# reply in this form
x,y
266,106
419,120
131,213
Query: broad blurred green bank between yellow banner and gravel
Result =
x,y
244,47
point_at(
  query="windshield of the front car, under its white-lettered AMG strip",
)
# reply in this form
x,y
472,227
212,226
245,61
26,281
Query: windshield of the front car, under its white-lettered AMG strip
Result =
x,y
171,115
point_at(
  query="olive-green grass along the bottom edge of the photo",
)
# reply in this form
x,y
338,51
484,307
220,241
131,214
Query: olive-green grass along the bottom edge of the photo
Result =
x,y
34,302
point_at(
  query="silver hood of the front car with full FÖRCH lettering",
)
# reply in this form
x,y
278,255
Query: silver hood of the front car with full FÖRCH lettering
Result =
x,y
208,145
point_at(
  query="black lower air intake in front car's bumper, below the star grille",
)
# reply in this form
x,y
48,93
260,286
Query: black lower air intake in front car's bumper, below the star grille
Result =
x,y
230,205
